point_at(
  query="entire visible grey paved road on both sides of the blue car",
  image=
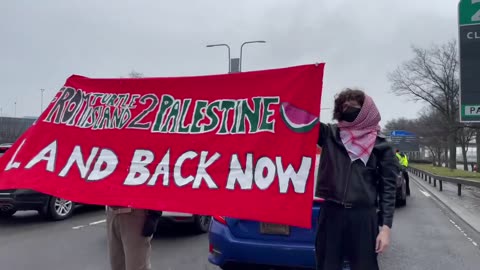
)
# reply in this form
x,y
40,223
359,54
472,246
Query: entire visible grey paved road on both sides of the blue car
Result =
x,y
426,236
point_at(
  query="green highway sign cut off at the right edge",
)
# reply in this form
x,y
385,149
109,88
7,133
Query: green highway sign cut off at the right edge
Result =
x,y
469,39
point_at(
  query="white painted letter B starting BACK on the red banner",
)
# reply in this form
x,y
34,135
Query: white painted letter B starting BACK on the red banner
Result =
x,y
138,173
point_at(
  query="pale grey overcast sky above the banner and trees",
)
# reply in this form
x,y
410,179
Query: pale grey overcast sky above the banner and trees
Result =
x,y
43,42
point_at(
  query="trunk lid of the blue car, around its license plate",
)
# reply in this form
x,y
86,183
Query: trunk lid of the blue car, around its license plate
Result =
x,y
246,229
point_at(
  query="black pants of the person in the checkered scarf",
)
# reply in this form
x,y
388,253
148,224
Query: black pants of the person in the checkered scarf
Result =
x,y
346,234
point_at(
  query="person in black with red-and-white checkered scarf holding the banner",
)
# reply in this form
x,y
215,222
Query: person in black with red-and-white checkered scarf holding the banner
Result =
x,y
357,177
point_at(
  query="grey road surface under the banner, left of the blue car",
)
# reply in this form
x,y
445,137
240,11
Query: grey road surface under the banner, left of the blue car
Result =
x,y
28,242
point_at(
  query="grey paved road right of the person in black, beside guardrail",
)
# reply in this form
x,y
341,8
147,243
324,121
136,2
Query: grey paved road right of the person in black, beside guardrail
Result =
x,y
427,236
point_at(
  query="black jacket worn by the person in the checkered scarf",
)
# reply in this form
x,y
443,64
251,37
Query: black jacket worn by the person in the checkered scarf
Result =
x,y
353,184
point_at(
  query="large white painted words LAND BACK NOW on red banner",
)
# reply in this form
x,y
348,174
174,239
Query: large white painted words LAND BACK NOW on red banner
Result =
x,y
241,175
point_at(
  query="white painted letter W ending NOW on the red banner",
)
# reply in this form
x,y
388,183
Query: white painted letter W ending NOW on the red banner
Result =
x,y
299,179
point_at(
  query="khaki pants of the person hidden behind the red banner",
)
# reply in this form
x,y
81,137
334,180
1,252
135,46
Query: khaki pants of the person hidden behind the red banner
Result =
x,y
128,249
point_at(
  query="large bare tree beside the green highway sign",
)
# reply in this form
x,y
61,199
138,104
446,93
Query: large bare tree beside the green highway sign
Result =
x,y
432,76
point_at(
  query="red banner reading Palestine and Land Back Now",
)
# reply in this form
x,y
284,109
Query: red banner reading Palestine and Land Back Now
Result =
x,y
239,145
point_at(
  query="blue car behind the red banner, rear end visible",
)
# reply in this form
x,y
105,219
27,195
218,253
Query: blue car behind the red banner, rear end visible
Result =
x,y
241,244
